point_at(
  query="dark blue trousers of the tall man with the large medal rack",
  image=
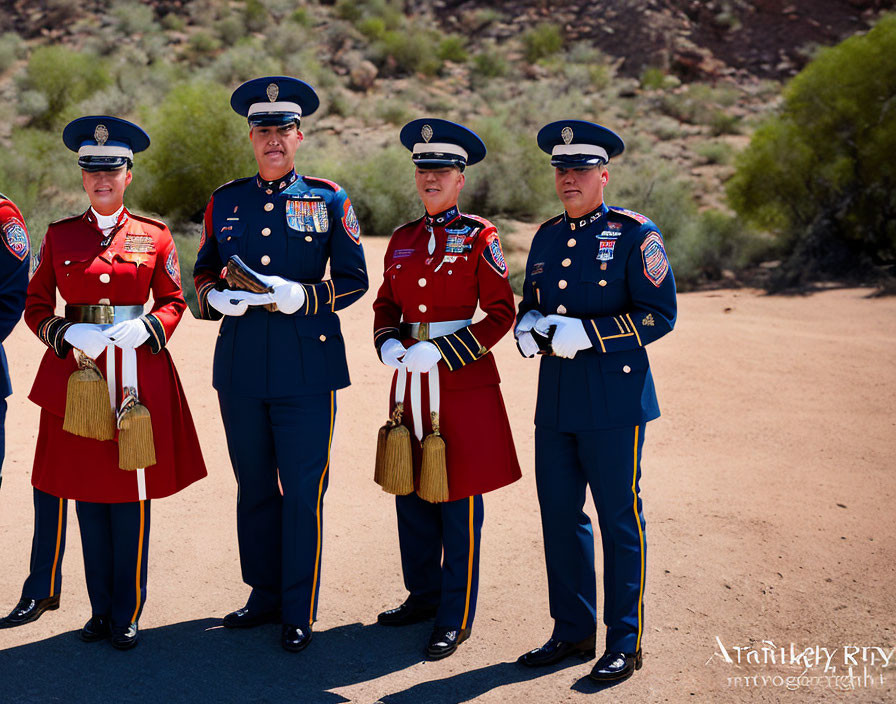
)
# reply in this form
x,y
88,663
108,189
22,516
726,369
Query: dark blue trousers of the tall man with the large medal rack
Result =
x,y
280,451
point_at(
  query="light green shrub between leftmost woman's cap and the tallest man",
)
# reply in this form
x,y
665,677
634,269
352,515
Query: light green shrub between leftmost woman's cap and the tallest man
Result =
x,y
197,144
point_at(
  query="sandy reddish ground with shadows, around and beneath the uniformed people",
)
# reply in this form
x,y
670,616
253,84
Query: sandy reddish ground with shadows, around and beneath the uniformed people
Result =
x,y
768,488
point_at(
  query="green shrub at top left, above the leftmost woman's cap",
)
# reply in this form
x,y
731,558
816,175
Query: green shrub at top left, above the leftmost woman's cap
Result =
x,y
64,77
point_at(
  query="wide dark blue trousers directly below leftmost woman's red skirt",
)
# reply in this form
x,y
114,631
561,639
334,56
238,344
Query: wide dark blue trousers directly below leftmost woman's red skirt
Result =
x,y
115,540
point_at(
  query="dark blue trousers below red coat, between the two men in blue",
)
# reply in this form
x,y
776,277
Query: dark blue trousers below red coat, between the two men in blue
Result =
x,y
426,533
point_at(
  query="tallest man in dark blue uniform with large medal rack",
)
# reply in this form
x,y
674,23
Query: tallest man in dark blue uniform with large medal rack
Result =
x,y
280,356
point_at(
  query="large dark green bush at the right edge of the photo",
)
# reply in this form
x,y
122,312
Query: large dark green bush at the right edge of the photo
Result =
x,y
820,172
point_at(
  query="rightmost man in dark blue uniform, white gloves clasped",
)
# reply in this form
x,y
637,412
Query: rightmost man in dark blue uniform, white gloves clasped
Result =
x,y
598,289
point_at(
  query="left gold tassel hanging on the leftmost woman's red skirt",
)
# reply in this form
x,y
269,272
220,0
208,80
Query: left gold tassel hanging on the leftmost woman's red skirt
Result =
x,y
87,409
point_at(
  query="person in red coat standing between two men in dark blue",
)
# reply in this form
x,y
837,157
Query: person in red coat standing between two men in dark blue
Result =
x,y
437,269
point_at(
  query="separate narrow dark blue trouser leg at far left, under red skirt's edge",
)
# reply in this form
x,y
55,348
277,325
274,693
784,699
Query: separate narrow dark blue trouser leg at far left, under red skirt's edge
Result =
x,y
47,547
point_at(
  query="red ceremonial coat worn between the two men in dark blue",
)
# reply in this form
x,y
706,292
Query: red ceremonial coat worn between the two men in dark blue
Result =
x,y
466,268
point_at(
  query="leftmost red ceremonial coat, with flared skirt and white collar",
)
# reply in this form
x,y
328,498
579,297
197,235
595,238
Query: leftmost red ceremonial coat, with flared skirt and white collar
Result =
x,y
137,259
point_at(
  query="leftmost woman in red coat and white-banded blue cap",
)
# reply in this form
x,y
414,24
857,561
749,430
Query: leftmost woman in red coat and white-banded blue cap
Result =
x,y
105,264
